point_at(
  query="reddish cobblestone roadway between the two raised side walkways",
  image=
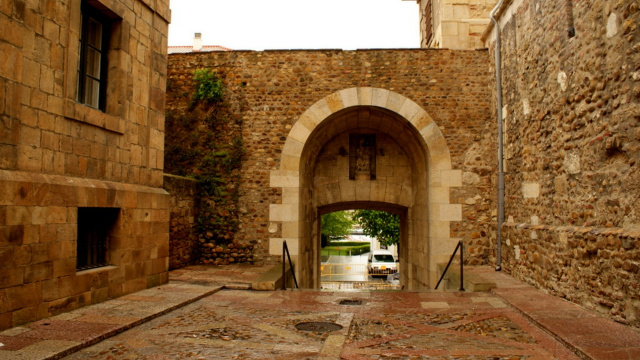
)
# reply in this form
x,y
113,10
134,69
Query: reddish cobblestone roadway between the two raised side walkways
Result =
x,y
242,324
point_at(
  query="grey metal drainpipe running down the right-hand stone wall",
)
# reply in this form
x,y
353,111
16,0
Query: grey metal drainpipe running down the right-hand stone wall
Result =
x,y
498,61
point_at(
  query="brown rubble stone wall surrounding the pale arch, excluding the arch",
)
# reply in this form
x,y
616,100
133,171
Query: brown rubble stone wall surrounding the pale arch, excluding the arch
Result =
x,y
272,89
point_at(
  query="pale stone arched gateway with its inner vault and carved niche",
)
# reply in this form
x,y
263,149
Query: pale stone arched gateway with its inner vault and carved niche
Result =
x,y
367,148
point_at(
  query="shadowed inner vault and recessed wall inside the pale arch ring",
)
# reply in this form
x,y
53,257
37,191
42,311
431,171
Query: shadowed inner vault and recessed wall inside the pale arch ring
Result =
x,y
364,158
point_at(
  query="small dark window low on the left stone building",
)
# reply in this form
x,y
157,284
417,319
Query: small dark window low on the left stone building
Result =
x,y
94,227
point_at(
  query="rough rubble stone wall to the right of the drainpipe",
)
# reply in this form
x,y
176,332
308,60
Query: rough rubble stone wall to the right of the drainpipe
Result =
x,y
571,80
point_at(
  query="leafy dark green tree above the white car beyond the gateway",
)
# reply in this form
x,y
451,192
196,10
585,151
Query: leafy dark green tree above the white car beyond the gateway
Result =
x,y
382,225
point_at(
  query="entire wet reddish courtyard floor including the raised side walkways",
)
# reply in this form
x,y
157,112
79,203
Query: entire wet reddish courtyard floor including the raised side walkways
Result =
x,y
512,322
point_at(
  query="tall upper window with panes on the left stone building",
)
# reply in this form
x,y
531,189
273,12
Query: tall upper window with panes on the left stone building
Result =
x,y
92,62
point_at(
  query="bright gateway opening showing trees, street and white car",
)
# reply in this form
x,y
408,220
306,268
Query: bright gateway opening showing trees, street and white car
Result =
x,y
359,247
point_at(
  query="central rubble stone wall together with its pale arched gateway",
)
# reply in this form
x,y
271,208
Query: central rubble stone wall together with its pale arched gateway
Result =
x,y
430,105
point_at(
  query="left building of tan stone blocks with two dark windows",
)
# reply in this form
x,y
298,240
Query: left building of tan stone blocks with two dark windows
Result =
x,y
83,216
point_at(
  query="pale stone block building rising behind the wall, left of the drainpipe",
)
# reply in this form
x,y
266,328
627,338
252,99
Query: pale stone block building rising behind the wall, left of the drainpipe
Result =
x,y
454,24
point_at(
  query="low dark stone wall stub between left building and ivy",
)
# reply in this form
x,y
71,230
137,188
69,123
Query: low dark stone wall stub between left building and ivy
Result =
x,y
183,235
